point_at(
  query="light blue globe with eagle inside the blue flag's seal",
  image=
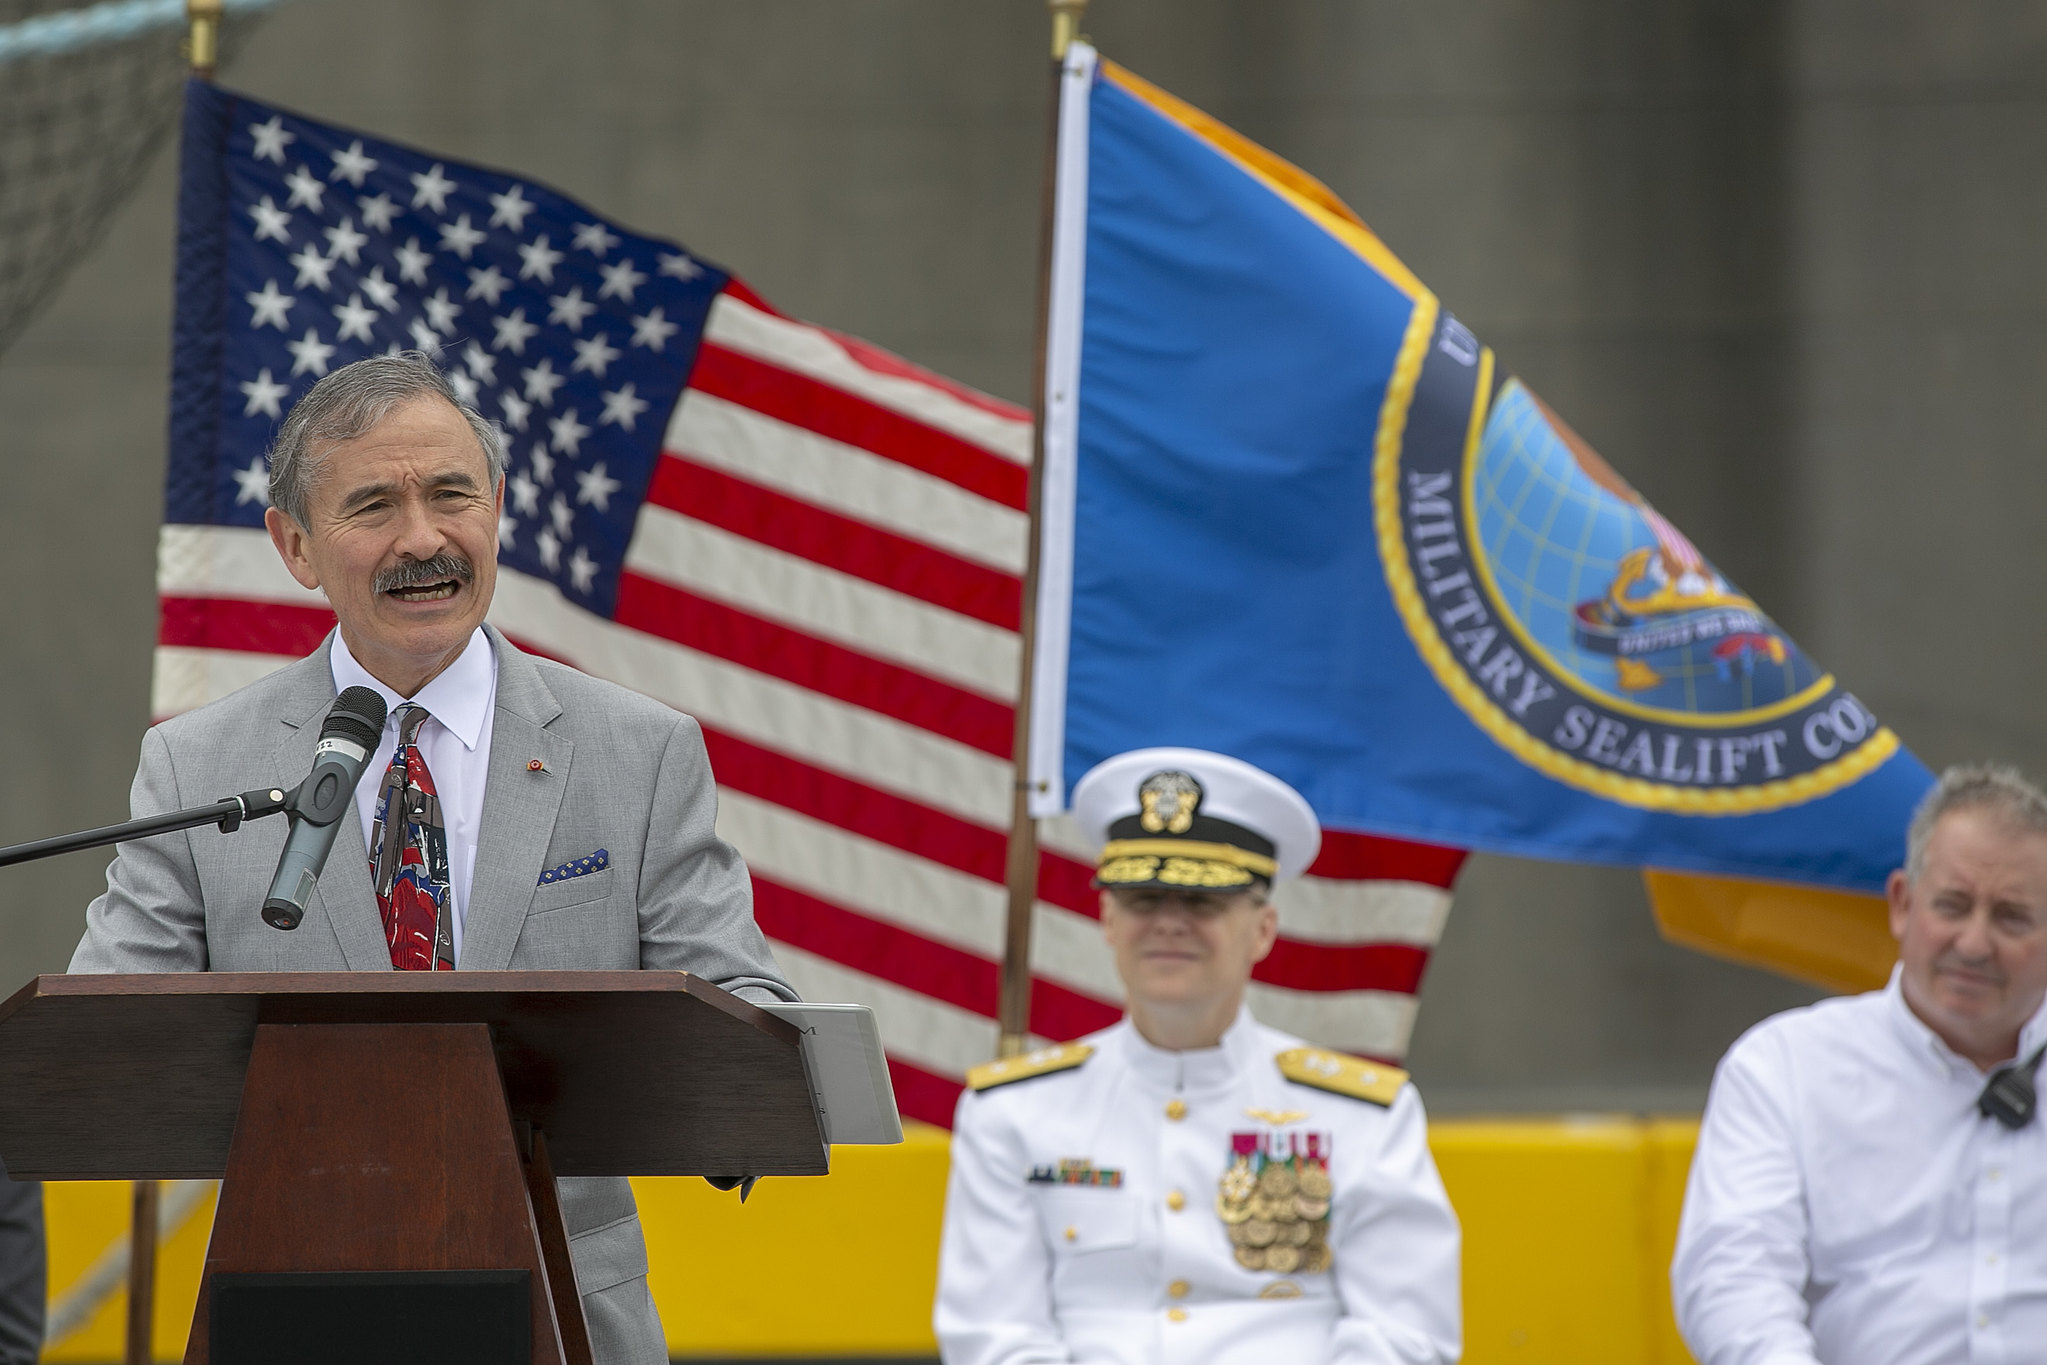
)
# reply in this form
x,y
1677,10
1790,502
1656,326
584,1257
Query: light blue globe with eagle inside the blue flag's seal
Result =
x,y
1610,592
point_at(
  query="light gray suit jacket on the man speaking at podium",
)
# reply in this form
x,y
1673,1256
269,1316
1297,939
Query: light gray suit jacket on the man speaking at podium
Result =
x,y
619,773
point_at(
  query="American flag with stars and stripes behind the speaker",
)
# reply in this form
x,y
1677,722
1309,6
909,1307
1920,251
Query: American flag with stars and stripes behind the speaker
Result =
x,y
795,537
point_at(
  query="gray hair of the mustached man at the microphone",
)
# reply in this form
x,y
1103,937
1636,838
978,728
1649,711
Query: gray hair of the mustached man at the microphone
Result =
x,y
351,402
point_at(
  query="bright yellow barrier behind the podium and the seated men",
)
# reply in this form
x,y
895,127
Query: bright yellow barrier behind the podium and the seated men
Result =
x,y
1567,1249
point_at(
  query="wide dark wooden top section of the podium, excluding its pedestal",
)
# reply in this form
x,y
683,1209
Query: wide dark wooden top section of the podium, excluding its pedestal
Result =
x,y
627,1073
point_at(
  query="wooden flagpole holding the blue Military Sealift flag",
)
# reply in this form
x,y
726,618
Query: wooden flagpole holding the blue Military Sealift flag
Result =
x,y
1020,871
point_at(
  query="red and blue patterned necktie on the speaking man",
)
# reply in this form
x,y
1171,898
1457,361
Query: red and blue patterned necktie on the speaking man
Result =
x,y
410,856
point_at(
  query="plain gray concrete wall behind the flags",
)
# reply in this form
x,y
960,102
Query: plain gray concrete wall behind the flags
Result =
x,y
1780,263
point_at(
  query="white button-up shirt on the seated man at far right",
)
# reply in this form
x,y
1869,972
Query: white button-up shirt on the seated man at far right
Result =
x,y
1852,1206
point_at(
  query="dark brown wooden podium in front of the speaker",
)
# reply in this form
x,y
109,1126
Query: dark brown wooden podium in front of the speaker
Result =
x,y
388,1135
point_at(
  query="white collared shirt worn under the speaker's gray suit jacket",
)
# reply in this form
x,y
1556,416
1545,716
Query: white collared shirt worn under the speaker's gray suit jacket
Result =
x,y
455,746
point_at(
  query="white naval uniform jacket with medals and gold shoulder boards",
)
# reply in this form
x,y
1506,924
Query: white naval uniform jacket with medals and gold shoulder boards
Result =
x,y
1086,1217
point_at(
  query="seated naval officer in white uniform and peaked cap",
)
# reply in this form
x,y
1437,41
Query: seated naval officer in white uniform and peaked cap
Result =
x,y
1192,1186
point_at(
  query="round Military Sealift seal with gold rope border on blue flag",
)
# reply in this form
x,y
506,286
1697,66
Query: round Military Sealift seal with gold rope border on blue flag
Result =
x,y
1573,623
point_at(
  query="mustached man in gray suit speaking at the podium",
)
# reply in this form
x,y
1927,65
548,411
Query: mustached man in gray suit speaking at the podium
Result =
x,y
572,820
